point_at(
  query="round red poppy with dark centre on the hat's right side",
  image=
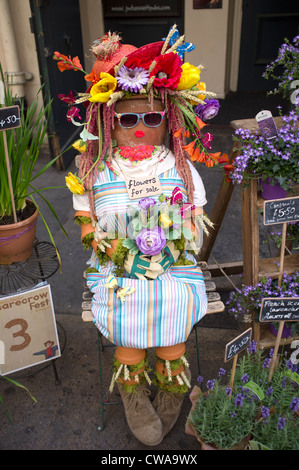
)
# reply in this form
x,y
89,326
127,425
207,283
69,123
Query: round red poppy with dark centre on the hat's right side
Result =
x,y
167,71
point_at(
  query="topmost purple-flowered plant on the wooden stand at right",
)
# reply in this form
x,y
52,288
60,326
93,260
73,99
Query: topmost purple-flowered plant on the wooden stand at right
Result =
x,y
261,158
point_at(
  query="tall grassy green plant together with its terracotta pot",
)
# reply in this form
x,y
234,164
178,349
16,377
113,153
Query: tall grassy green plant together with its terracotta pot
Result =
x,y
22,145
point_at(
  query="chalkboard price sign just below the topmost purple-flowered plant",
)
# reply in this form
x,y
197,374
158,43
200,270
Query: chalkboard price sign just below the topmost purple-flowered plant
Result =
x,y
279,211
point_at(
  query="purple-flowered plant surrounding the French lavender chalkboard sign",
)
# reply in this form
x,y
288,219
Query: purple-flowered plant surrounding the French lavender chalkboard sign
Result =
x,y
245,302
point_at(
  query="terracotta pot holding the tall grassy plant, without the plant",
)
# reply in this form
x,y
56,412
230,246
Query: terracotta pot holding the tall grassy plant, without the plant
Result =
x,y
16,240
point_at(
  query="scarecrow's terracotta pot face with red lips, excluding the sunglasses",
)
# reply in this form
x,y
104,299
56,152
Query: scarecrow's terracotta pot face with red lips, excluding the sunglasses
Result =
x,y
140,134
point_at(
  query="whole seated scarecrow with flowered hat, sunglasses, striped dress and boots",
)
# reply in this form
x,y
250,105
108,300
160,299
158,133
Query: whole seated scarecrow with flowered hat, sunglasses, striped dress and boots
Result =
x,y
139,199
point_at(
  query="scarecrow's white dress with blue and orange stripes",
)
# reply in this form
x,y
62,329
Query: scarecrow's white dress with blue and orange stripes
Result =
x,y
160,312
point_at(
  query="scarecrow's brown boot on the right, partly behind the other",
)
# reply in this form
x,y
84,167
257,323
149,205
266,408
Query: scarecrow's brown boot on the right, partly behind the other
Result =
x,y
168,406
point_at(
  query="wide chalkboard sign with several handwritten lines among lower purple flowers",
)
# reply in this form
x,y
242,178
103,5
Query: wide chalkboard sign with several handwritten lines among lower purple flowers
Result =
x,y
280,309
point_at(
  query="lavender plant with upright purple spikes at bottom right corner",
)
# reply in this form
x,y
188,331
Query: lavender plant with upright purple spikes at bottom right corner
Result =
x,y
254,413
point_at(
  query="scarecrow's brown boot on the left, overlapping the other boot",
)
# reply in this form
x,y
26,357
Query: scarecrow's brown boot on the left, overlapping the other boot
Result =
x,y
141,416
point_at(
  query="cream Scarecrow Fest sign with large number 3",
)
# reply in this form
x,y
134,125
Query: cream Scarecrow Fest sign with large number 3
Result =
x,y
28,333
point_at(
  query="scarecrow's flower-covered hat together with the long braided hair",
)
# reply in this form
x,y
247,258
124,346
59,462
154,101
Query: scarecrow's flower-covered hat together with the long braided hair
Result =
x,y
155,70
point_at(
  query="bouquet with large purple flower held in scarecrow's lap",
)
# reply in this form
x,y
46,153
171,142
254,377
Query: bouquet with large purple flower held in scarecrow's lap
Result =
x,y
160,232
